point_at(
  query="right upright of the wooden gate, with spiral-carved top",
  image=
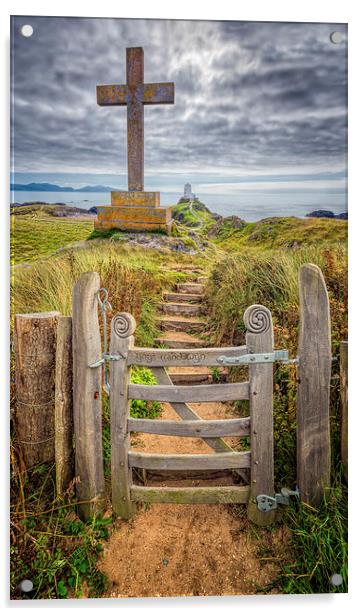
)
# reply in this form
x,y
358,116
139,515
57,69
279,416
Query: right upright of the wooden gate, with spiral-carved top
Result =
x,y
260,339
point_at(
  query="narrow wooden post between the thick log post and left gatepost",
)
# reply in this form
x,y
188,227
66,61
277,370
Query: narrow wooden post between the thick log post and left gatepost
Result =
x,y
63,417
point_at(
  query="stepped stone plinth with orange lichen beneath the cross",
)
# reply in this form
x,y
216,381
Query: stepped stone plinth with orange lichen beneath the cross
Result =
x,y
134,211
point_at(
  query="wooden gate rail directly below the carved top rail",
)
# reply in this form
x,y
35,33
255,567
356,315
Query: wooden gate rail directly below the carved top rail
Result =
x,y
197,393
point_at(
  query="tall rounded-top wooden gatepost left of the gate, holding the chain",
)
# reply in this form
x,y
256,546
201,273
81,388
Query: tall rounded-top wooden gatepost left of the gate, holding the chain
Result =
x,y
87,397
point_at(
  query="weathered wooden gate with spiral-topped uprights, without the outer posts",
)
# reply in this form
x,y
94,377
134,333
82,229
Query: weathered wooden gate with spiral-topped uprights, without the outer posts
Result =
x,y
259,426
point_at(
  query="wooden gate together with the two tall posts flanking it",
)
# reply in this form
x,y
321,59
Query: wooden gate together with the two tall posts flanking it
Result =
x,y
256,466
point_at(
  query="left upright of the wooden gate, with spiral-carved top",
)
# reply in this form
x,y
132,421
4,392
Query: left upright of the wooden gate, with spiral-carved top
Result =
x,y
123,326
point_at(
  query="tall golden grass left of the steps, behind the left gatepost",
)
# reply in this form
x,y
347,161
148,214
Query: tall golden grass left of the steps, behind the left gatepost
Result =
x,y
134,280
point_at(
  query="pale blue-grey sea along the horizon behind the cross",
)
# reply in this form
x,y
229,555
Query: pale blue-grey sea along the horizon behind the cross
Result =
x,y
249,207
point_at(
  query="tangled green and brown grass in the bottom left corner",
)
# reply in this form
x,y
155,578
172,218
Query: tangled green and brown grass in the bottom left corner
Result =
x,y
50,545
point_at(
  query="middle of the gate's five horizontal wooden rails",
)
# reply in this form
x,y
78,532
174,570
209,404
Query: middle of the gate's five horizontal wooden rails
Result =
x,y
203,428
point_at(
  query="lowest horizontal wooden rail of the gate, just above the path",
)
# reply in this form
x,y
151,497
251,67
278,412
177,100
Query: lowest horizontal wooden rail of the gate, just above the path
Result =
x,y
196,496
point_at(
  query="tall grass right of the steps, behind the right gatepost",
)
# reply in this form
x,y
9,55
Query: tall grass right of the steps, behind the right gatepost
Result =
x,y
270,277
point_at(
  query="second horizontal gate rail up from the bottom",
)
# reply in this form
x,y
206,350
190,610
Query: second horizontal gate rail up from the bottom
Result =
x,y
184,462
